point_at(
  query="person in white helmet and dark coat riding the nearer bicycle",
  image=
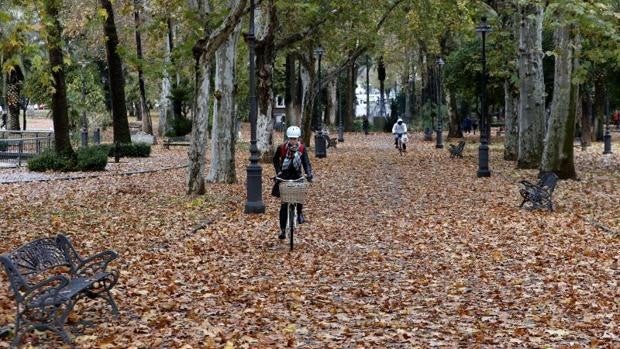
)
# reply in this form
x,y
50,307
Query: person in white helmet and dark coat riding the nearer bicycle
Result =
x,y
288,161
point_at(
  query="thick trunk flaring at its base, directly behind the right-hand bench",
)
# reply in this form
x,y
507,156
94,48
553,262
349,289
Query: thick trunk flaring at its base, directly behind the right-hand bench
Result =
x,y
558,151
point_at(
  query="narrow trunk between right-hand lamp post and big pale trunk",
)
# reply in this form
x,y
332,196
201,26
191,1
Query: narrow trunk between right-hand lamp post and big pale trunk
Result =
x,y
511,122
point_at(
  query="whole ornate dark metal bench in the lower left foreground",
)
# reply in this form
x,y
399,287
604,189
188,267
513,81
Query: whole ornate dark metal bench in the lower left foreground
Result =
x,y
48,277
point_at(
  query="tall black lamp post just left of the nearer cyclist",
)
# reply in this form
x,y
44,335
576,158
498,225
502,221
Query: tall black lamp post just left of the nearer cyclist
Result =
x,y
254,203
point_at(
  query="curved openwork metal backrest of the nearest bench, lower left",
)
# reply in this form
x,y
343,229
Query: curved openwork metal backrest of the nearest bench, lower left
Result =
x,y
25,264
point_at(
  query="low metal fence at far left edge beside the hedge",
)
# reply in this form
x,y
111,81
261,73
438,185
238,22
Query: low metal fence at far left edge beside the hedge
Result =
x,y
16,147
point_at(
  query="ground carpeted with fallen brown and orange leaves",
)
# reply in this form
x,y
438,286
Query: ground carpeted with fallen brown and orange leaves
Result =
x,y
397,252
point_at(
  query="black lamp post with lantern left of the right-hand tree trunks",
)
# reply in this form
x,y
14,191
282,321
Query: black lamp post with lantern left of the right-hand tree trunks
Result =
x,y
483,151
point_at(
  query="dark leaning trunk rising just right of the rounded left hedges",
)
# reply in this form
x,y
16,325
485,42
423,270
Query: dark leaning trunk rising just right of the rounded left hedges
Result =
x,y
120,122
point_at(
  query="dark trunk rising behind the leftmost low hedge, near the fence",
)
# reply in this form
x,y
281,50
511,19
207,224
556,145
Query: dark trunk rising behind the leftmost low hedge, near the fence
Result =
x,y
60,115
